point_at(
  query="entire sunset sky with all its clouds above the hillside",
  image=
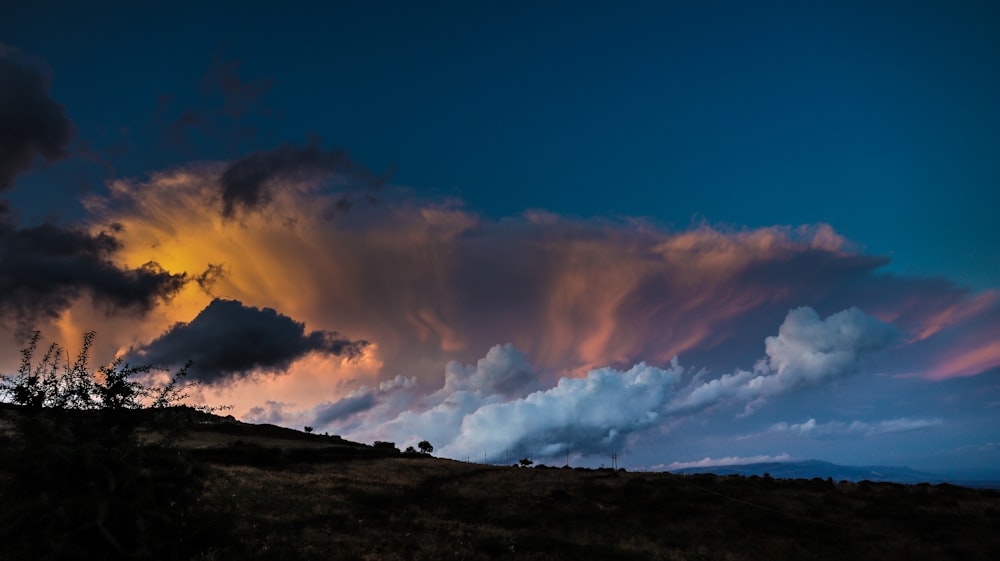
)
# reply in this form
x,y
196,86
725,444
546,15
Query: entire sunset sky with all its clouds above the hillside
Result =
x,y
681,233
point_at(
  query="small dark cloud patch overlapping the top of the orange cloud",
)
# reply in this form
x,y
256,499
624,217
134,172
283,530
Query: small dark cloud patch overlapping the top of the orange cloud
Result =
x,y
246,182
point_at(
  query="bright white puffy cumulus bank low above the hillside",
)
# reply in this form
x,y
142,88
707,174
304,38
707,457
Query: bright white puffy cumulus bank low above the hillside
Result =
x,y
479,408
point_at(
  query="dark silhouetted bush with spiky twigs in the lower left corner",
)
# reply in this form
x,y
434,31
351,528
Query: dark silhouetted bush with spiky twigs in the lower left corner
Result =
x,y
91,472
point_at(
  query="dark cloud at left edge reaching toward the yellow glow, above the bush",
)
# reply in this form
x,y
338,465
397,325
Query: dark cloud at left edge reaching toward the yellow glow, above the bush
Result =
x,y
45,268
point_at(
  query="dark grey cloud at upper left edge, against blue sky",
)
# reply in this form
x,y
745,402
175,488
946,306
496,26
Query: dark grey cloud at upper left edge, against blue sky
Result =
x,y
32,125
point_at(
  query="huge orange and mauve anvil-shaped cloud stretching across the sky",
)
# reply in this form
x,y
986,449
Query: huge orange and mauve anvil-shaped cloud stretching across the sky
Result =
x,y
428,282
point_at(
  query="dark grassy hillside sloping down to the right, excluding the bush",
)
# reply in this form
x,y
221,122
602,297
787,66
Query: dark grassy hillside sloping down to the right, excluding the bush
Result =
x,y
275,494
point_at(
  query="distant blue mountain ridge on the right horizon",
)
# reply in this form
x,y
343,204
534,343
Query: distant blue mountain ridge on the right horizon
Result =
x,y
809,469
